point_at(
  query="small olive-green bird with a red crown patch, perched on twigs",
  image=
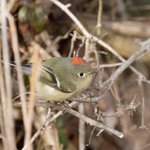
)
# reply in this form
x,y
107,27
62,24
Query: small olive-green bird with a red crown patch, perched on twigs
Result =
x,y
62,77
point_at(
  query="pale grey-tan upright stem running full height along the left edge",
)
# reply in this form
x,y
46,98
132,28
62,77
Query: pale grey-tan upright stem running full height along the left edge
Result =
x,y
7,97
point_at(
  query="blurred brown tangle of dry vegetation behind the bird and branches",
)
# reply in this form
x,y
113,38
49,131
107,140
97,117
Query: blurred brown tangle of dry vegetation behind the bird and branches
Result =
x,y
43,28
